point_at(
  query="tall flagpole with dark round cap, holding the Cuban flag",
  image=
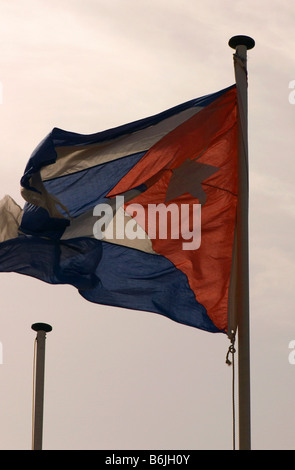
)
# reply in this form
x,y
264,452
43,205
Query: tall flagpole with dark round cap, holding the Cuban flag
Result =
x,y
241,44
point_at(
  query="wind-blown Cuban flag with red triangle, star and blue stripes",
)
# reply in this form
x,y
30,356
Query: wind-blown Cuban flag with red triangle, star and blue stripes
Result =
x,y
141,216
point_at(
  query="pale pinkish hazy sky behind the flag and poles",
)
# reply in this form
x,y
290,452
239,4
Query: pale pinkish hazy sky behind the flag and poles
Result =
x,y
119,379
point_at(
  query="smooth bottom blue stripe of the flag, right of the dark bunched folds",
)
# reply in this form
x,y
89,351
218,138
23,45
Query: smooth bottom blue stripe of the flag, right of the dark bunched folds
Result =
x,y
136,280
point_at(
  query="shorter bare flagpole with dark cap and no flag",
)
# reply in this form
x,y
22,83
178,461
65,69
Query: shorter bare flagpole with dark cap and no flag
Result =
x,y
39,368
